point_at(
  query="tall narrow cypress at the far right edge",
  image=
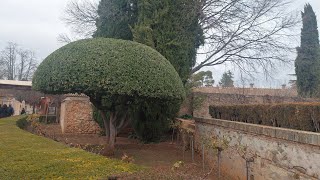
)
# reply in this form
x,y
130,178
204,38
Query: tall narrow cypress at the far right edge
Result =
x,y
307,63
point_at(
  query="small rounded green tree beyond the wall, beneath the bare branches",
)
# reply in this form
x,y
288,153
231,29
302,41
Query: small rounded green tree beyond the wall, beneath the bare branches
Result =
x,y
202,78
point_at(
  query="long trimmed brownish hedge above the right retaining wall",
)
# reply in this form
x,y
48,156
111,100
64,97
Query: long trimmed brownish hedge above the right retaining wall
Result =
x,y
300,116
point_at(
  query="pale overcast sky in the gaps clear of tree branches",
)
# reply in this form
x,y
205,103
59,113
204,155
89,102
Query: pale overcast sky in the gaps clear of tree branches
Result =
x,y
36,24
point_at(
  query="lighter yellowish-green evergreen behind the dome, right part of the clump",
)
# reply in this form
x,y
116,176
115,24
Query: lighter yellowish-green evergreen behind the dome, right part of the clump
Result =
x,y
172,28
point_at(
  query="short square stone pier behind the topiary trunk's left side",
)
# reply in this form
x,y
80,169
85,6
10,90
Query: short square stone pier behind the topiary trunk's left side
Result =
x,y
76,116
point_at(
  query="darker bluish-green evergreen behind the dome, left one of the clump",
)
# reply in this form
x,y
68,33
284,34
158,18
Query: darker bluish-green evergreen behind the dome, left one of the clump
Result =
x,y
115,19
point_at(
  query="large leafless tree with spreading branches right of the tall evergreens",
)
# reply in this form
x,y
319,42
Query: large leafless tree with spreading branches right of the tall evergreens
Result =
x,y
251,34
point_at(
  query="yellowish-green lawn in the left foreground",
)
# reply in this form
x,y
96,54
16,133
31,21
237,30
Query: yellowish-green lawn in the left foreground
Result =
x,y
27,156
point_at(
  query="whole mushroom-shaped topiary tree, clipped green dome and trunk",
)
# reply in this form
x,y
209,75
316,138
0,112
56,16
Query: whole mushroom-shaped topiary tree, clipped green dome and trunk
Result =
x,y
122,78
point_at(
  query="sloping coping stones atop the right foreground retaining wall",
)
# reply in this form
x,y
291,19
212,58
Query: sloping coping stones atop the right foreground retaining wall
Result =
x,y
304,137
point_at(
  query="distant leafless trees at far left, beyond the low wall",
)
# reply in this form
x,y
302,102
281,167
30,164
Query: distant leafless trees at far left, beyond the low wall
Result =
x,y
17,64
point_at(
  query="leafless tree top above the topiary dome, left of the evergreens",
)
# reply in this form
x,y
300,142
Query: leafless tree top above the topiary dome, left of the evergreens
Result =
x,y
81,17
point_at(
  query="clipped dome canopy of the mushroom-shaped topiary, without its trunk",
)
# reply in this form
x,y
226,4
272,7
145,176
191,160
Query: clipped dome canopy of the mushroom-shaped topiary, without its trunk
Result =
x,y
108,66
